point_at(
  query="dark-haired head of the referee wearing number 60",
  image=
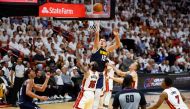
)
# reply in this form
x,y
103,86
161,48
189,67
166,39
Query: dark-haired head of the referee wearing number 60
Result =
x,y
128,79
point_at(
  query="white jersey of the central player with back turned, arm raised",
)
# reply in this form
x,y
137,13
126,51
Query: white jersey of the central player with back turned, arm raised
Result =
x,y
89,83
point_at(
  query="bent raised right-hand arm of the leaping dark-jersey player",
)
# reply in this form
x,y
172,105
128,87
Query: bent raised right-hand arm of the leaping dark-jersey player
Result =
x,y
117,44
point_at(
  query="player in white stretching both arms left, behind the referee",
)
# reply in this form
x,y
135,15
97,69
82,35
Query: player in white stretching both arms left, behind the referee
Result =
x,y
132,71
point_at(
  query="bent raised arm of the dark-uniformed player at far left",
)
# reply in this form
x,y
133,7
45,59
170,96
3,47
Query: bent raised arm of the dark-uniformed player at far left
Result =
x,y
43,87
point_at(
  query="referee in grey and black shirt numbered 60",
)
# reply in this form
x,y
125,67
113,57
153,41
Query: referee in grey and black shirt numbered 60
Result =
x,y
129,98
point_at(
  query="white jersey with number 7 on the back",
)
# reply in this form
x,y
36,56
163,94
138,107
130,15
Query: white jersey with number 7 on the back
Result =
x,y
175,100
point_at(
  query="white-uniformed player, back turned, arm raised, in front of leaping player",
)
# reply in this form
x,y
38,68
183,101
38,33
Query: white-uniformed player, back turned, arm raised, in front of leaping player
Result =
x,y
85,98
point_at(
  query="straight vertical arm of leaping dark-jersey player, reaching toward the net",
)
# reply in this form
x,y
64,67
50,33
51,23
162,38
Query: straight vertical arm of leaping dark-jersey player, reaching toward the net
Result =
x,y
97,38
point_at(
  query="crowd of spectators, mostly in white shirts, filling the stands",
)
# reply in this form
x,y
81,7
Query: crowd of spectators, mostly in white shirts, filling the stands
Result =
x,y
159,30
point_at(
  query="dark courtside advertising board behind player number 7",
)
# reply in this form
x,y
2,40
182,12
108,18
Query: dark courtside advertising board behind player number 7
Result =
x,y
150,81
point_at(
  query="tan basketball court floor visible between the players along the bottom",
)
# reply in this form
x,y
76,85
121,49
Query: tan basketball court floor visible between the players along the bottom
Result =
x,y
150,97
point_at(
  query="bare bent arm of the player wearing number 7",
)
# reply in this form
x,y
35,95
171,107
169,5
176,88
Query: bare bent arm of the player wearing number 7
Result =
x,y
163,96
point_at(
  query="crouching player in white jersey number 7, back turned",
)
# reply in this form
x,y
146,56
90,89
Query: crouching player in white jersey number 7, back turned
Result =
x,y
171,95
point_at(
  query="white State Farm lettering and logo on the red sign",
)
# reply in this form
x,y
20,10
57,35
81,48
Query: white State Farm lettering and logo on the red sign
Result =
x,y
52,10
